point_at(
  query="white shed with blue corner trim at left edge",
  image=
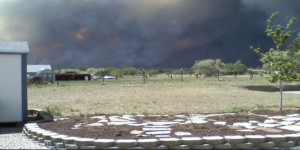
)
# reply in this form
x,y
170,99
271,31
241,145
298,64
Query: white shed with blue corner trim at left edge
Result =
x,y
13,89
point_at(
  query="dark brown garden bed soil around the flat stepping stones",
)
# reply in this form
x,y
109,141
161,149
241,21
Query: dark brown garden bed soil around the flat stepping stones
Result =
x,y
123,131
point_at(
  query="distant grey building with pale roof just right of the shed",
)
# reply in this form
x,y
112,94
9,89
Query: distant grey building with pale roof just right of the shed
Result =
x,y
45,72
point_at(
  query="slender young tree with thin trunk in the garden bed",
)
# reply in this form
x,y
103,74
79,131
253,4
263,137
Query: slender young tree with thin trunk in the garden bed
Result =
x,y
281,60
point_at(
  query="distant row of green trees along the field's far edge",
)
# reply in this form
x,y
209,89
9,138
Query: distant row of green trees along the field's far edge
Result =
x,y
207,68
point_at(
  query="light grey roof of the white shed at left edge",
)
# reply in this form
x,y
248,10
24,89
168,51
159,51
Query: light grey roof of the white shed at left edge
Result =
x,y
14,47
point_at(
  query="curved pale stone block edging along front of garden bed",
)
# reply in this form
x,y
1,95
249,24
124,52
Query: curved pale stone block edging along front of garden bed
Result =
x,y
56,140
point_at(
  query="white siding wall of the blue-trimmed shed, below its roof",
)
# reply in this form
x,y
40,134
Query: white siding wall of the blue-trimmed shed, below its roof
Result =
x,y
10,88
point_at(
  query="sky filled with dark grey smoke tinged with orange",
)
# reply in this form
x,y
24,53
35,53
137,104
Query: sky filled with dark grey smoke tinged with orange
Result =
x,y
141,33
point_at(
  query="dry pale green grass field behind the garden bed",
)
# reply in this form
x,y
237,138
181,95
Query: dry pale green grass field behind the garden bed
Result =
x,y
160,95
